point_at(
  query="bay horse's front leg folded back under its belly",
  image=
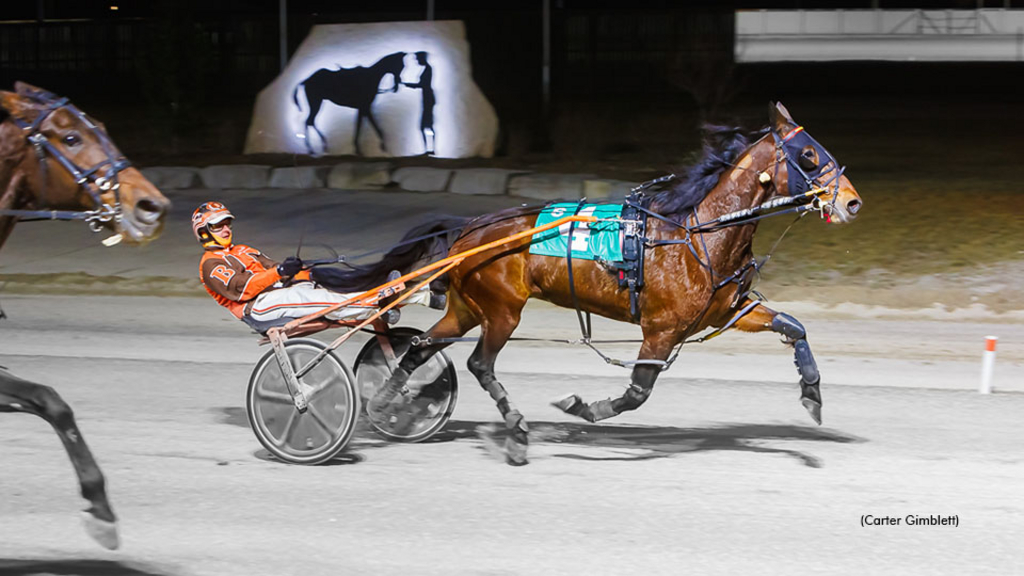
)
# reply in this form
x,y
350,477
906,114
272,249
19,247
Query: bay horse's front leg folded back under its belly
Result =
x,y
654,353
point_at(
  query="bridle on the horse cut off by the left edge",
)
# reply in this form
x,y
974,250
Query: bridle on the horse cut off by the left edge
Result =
x,y
100,179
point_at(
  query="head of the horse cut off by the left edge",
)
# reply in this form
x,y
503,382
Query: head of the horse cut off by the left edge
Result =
x,y
70,163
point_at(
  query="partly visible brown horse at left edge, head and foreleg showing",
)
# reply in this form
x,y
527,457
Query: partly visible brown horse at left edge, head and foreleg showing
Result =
x,y
58,163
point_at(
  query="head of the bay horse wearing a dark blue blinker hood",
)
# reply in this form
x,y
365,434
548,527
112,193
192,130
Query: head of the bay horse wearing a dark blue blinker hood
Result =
x,y
804,168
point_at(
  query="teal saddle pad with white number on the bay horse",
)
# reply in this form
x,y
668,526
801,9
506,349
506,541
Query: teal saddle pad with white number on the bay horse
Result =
x,y
590,241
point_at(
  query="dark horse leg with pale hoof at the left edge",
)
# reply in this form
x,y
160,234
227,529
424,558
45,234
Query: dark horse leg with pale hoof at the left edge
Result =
x,y
21,396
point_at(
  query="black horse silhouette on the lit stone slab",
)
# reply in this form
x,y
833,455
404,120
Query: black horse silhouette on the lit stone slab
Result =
x,y
350,88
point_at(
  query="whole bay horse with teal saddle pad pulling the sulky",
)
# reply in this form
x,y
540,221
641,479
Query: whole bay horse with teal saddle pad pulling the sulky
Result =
x,y
699,267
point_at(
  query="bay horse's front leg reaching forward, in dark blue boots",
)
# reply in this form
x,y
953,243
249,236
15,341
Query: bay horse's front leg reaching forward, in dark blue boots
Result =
x,y
762,319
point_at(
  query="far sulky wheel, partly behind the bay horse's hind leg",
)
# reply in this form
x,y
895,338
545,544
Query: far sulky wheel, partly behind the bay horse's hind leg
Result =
x,y
434,389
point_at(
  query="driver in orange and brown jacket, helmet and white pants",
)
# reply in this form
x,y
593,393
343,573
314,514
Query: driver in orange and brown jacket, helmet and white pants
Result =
x,y
253,287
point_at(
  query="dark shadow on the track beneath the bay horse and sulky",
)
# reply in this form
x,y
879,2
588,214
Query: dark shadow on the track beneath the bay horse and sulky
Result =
x,y
610,442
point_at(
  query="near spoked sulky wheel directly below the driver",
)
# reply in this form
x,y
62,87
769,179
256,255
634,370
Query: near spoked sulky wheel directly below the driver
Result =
x,y
317,435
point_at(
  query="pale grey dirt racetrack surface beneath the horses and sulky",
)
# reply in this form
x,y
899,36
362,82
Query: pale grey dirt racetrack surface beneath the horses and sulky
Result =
x,y
720,473
